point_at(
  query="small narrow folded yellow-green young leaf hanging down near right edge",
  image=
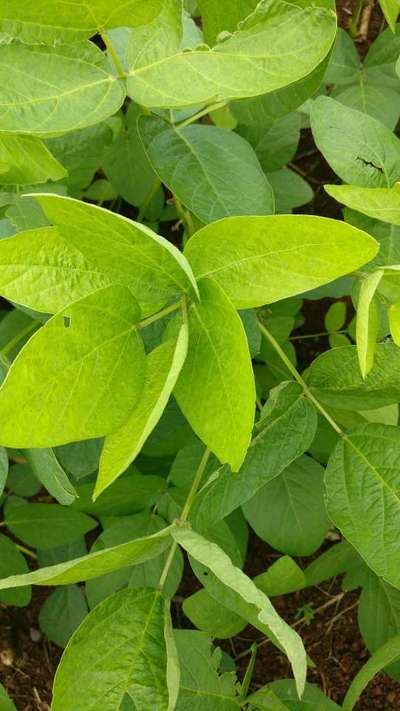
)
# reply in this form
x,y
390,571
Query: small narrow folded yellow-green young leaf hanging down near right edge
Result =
x,y
367,321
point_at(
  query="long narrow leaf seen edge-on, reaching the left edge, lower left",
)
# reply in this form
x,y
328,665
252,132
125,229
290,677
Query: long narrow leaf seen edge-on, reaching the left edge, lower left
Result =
x,y
93,564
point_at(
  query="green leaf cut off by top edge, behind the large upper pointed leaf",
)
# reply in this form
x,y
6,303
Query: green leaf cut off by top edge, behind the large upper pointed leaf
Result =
x,y
223,17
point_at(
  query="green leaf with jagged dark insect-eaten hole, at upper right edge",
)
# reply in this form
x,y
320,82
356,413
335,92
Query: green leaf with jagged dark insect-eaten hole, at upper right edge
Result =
x,y
358,148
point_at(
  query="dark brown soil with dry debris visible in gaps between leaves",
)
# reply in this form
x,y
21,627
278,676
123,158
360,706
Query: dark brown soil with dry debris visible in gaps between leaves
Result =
x,y
28,660
